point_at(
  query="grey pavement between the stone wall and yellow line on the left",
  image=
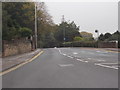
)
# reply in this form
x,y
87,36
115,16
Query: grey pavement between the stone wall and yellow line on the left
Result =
x,y
11,61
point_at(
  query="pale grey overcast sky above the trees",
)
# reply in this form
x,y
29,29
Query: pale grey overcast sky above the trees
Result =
x,y
102,16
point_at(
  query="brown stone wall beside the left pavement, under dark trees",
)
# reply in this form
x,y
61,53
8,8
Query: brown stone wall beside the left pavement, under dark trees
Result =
x,y
16,47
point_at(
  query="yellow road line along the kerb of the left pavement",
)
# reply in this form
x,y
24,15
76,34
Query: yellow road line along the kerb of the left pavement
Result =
x,y
20,65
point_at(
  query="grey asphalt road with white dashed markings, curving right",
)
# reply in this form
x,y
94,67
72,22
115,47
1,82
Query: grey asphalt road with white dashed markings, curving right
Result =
x,y
67,68
